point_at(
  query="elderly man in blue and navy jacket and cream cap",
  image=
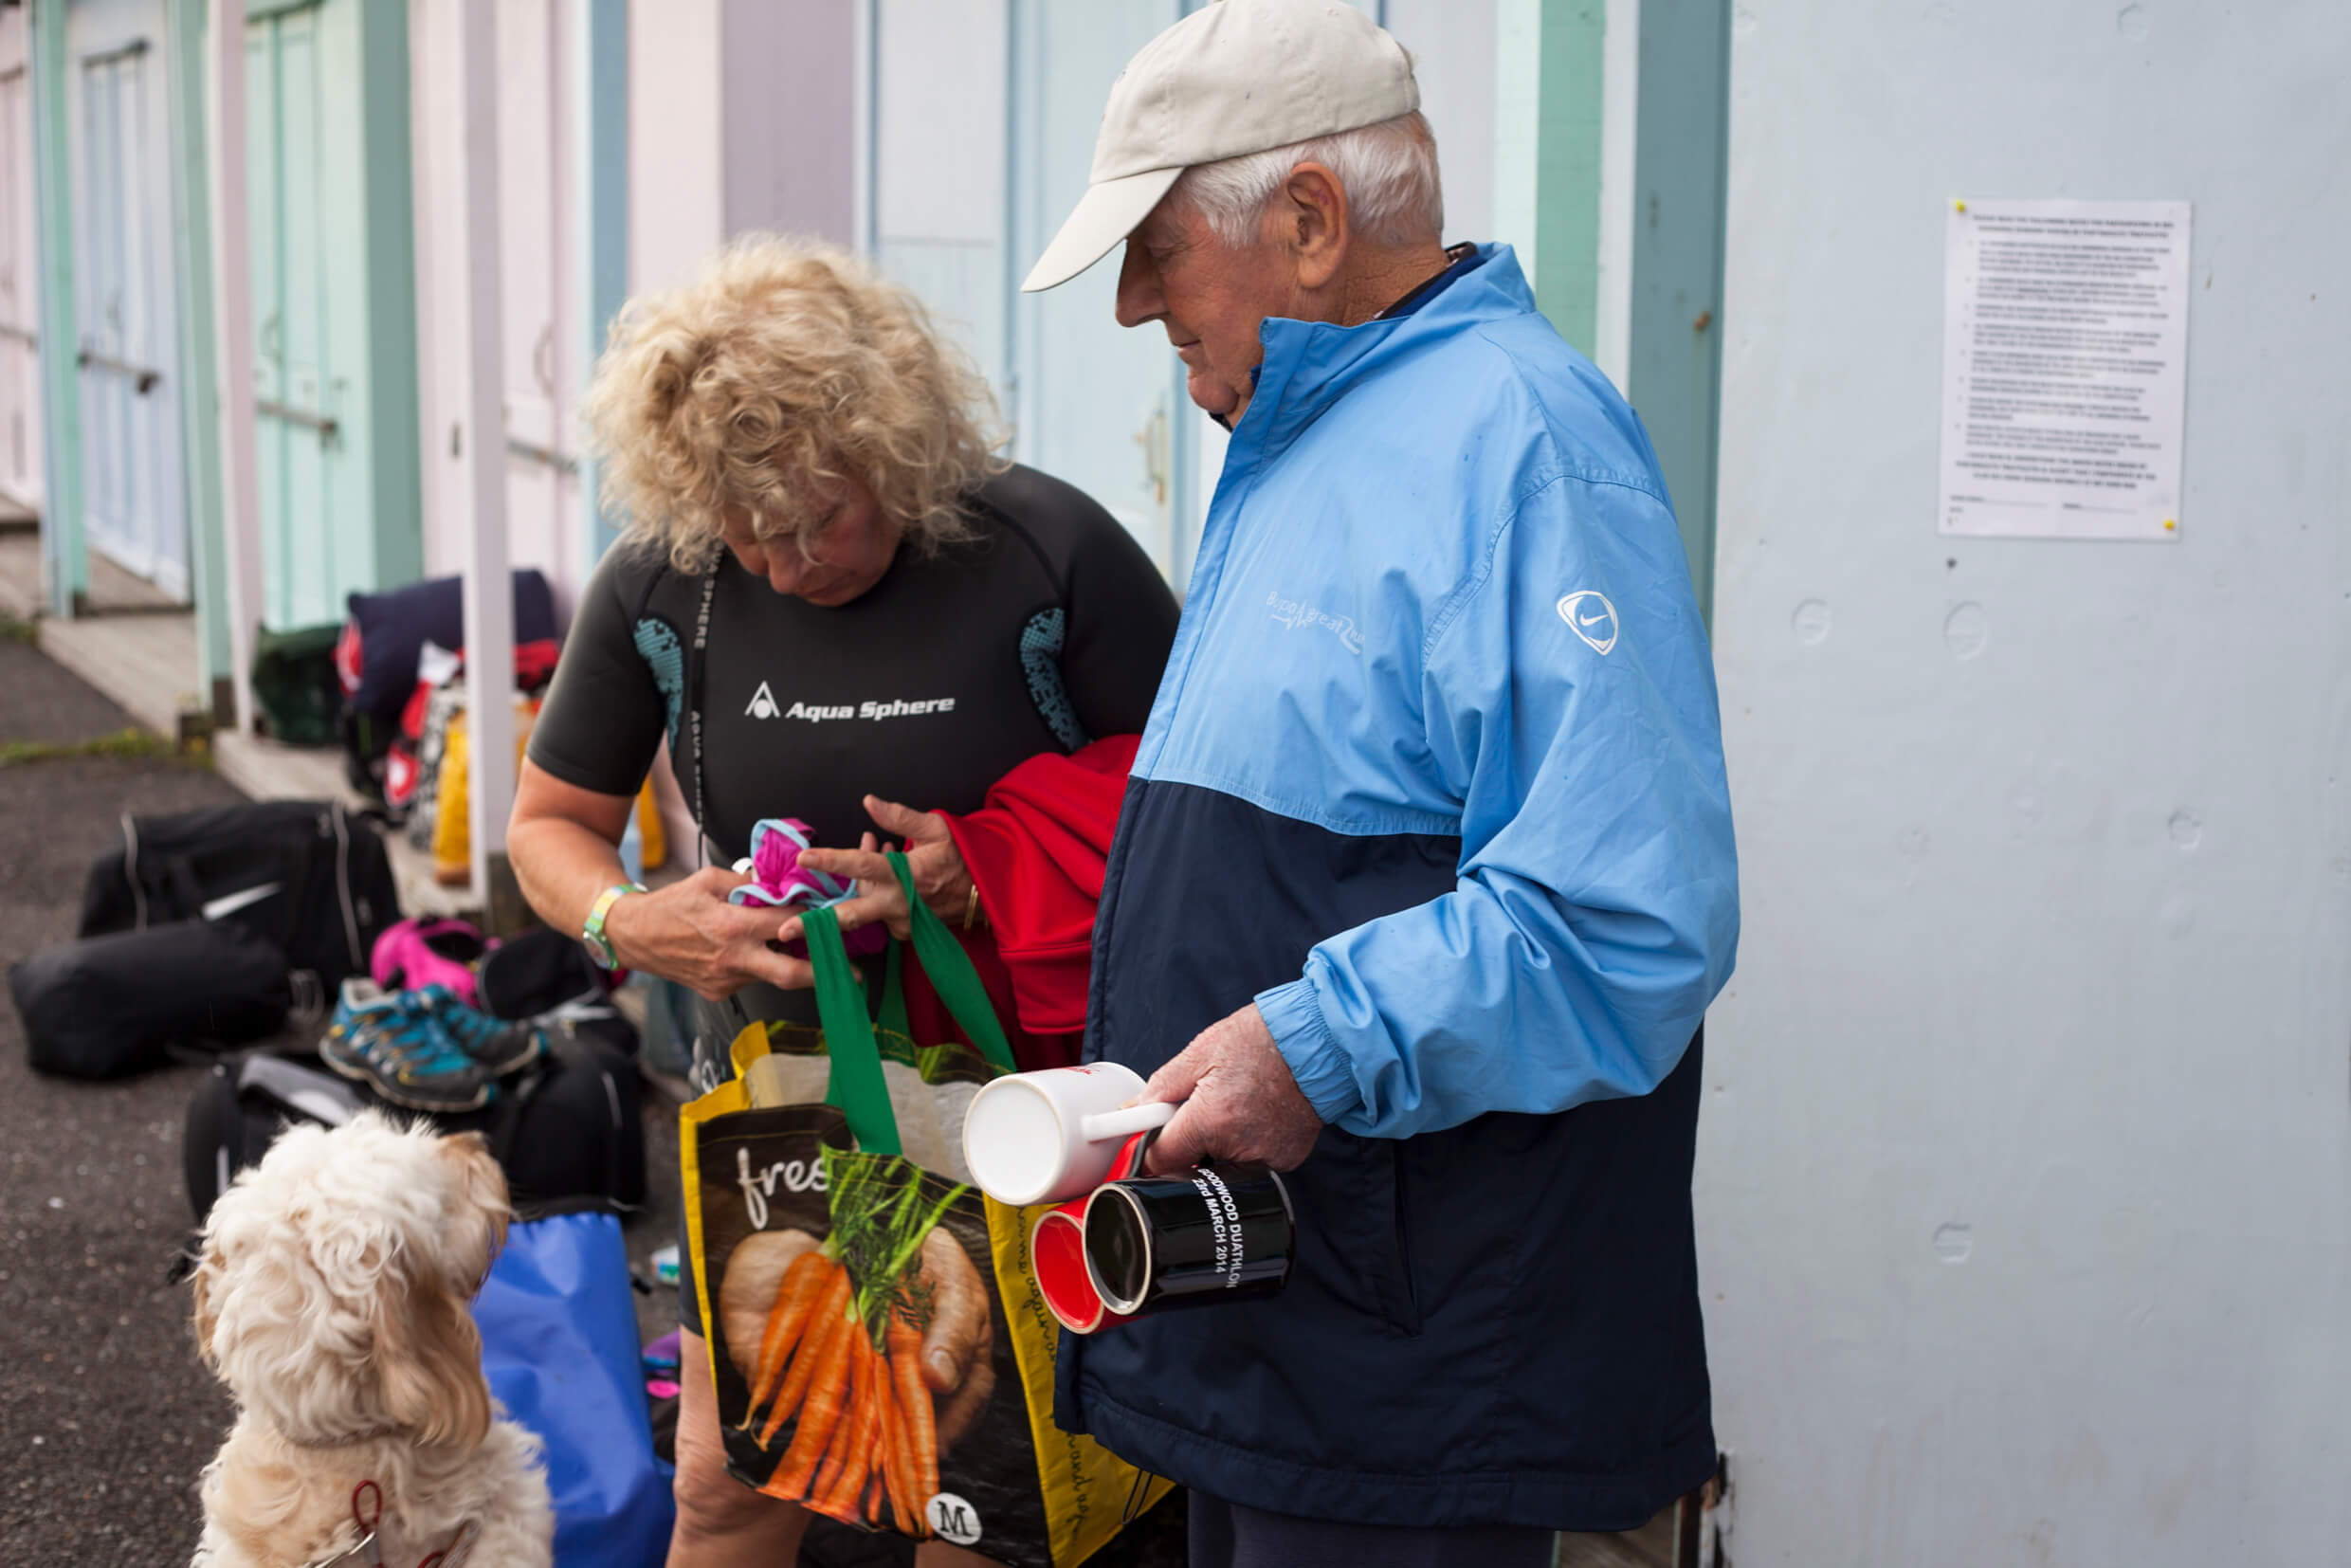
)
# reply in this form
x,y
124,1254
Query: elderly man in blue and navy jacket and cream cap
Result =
x,y
1426,873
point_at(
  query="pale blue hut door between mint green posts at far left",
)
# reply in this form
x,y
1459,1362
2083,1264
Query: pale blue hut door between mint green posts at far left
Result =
x,y
130,441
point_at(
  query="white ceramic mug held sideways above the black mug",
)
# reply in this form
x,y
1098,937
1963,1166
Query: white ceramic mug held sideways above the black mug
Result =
x,y
1050,1137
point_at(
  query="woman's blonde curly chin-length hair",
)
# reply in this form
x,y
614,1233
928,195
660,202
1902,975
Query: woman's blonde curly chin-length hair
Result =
x,y
784,366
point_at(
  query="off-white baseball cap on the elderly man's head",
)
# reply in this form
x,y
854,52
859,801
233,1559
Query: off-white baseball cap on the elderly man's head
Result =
x,y
1231,79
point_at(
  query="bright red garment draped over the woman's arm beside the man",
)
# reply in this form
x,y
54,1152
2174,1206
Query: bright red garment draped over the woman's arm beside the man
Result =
x,y
1038,850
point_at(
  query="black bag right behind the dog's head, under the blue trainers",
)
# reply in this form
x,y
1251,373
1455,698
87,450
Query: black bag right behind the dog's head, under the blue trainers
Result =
x,y
568,1130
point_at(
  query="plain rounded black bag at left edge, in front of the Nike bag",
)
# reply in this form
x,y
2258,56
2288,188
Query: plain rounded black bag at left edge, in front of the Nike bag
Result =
x,y
114,1005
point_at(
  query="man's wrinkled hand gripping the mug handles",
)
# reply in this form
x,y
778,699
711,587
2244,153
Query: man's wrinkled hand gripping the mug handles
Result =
x,y
1238,1099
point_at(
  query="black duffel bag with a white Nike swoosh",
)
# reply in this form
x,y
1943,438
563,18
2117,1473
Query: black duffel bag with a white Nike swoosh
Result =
x,y
304,873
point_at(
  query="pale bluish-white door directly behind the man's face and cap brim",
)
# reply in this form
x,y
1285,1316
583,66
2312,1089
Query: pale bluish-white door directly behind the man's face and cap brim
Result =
x,y
1097,406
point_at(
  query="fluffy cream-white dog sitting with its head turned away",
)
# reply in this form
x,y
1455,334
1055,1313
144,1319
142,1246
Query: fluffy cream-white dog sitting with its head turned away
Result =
x,y
335,1304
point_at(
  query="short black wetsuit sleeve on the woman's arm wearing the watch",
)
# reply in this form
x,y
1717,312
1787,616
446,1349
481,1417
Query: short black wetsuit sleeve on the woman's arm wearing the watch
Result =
x,y
608,713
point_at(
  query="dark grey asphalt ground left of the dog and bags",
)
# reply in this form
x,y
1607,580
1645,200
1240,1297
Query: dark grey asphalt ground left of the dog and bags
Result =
x,y
105,1412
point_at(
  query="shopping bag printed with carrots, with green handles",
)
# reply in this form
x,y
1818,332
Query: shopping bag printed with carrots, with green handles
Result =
x,y
831,1228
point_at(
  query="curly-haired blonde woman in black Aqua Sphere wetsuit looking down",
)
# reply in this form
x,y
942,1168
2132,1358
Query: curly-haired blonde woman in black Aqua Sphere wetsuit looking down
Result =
x,y
829,598
